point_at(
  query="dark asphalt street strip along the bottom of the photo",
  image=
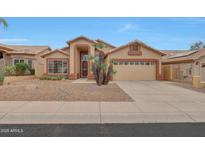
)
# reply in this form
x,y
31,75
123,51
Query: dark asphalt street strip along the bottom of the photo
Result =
x,y
104,130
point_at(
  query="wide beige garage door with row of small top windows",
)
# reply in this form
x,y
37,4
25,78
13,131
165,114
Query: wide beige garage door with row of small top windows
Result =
x,y
135,70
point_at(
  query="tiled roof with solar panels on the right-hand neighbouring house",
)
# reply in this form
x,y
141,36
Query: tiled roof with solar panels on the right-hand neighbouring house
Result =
x,y
188,56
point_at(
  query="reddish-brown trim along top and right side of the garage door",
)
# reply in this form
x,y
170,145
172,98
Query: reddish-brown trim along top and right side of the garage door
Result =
x,y
158,76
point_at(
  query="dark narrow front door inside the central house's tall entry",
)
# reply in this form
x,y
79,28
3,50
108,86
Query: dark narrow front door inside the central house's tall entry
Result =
x,y
83,65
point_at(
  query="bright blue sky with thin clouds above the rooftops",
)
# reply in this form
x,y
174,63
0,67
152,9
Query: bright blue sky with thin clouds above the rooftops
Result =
x,y
160,33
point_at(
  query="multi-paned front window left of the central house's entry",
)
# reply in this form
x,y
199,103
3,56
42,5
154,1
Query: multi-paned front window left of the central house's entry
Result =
x,y
57,67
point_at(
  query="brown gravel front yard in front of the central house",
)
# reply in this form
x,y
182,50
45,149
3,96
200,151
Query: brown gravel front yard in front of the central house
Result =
x,y
64,90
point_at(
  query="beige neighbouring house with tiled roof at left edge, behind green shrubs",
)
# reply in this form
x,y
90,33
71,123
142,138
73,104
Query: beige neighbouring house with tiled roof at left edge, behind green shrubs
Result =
x,y
31,55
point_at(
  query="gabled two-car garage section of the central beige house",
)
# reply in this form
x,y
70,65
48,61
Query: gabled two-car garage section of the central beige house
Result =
x,y
136,61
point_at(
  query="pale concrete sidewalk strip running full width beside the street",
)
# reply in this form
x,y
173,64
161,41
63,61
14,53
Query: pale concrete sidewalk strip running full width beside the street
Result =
x,y
96,112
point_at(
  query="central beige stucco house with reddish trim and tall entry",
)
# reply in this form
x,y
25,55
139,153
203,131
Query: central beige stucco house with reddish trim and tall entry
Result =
x,y
133,61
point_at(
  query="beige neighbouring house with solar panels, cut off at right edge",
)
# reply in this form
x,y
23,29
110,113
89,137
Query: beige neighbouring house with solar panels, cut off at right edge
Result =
x,y
186,66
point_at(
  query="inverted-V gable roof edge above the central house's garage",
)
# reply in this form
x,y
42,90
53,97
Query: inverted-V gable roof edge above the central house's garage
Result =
x,y
139,42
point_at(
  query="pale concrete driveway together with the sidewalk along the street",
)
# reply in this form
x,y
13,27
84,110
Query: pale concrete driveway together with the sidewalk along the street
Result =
x,y
155,102
